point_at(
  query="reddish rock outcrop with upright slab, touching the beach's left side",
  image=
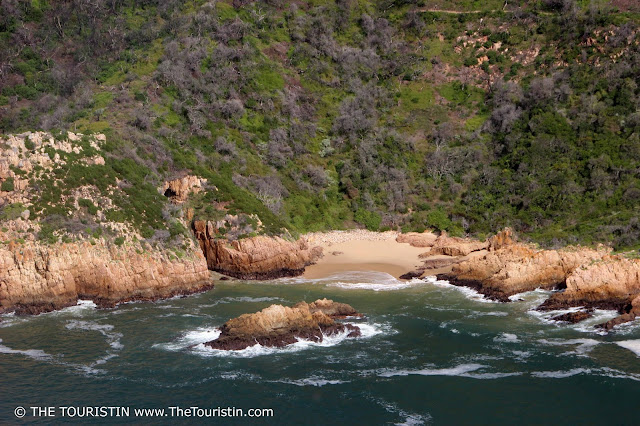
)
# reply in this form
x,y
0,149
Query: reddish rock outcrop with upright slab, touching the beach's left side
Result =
x,y
255,258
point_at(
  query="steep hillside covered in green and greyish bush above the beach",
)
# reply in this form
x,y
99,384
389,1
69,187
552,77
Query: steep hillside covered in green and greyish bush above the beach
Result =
x,y
465,116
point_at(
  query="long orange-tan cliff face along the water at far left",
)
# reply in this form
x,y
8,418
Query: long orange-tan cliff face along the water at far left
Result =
x,y
36,278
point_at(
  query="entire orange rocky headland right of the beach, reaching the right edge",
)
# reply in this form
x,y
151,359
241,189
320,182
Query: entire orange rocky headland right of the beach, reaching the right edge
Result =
x,y
500,267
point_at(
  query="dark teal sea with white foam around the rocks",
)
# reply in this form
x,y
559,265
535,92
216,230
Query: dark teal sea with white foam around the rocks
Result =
x,y
430,354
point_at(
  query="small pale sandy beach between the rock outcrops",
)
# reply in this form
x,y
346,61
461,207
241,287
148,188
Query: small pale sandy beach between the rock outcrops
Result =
x,y
361,250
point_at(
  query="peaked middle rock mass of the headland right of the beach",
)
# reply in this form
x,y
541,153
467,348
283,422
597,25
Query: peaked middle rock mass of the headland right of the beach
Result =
x,y
511,268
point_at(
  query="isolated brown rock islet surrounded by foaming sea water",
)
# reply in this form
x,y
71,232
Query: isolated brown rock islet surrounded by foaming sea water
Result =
x,y
278,326
